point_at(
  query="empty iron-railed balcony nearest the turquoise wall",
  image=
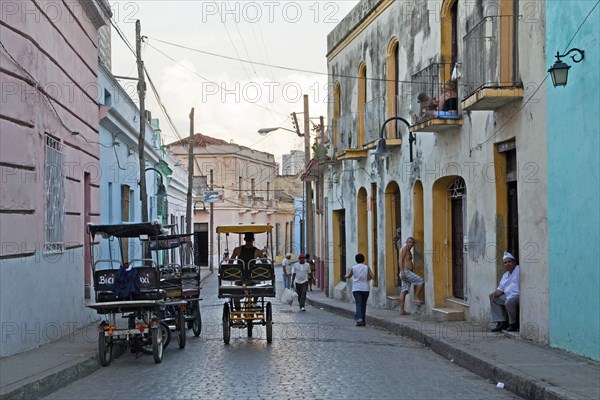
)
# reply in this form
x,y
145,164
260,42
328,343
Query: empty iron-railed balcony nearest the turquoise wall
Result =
x,y
490,62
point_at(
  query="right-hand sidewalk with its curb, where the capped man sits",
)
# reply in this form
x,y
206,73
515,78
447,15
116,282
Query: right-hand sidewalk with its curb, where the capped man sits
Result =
x,y
525,368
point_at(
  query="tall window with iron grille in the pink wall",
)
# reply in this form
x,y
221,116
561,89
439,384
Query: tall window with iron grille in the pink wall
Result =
x,y
54,177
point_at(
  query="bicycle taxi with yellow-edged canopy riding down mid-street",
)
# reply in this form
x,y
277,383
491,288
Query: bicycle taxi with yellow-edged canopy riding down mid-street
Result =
x,y
246,284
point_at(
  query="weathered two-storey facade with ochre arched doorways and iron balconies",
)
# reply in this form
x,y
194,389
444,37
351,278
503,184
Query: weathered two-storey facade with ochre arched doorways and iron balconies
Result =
x,y
465,179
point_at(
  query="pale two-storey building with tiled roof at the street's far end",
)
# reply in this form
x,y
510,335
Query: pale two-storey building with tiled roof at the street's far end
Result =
x,y
247,179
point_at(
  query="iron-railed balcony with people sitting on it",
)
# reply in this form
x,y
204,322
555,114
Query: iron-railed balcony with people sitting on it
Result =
x,y
434,99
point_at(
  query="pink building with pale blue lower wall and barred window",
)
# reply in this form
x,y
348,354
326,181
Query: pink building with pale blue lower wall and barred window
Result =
x,y
49,124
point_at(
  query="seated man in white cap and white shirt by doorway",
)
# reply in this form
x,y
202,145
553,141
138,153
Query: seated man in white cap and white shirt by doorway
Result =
x,y
505,299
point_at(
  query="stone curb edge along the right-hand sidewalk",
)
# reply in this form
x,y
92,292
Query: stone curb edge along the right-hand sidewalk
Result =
x,y
529,388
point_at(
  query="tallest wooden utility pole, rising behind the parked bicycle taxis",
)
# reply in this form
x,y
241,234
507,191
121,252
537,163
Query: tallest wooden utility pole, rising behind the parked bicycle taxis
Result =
x,y
142,139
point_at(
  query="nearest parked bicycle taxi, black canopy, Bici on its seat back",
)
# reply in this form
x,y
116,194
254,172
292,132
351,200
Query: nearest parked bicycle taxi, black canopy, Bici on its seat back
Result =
x,y
129,287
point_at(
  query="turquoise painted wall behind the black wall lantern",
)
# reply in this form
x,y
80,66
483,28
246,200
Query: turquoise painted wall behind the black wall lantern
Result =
x,y
573,180
